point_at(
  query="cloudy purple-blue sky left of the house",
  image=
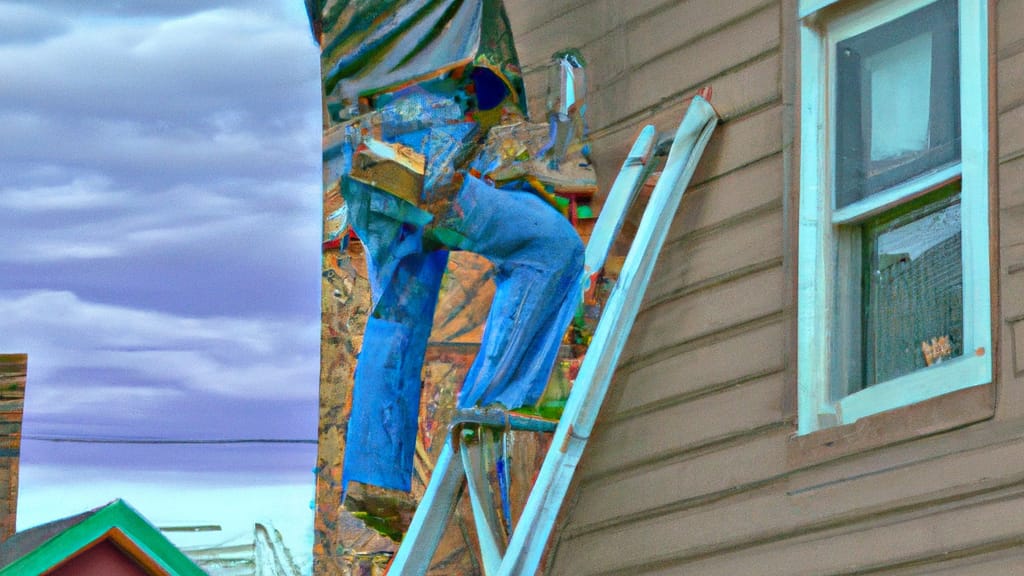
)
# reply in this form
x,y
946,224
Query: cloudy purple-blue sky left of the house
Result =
x,y
159,250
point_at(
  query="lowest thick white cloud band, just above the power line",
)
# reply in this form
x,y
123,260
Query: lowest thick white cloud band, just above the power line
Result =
x,y
250,358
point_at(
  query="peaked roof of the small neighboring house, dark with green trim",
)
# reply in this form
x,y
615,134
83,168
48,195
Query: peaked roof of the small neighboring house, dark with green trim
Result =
x,y
46,548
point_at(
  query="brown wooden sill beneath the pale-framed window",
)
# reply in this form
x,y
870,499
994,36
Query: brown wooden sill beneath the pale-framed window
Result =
x,y
938,415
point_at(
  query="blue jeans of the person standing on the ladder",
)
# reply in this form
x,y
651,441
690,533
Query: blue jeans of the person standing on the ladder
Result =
x,y
538,260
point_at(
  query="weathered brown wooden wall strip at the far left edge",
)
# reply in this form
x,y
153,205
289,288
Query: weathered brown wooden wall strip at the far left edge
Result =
x,y
13,376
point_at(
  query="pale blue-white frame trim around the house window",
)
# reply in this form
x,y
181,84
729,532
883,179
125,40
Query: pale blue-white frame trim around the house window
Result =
x,y
818,244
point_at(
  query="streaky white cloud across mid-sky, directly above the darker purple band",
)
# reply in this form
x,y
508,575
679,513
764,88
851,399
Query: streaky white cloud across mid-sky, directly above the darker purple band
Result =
x,y
90,219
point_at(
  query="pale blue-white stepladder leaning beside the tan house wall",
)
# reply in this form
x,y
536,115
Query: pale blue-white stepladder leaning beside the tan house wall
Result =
x,y
526,547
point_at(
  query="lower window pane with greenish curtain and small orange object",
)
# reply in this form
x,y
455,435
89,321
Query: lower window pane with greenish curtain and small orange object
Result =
x,y
914,313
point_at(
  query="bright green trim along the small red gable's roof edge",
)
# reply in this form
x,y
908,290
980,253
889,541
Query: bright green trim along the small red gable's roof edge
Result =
x,y
116,516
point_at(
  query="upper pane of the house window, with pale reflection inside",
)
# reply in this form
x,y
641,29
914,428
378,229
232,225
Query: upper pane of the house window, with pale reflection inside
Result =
x,y
898,102
